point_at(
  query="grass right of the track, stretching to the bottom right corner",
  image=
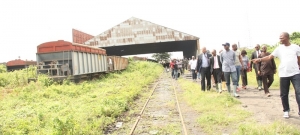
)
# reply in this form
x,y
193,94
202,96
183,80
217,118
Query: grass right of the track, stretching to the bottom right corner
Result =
x,y
222,111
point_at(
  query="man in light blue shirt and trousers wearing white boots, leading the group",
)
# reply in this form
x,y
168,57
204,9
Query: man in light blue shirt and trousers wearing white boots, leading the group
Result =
x,y
228,67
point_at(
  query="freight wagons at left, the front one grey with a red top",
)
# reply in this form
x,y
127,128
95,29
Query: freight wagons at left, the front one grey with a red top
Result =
x,y
61,59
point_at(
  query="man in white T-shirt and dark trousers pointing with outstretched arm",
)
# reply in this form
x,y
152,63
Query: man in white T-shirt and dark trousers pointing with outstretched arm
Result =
x,y
289,55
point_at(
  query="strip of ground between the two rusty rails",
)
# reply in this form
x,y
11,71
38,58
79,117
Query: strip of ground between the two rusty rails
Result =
x,y
161,115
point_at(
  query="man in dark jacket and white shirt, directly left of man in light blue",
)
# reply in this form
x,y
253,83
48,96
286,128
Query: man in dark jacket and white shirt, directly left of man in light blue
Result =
x,y
216,69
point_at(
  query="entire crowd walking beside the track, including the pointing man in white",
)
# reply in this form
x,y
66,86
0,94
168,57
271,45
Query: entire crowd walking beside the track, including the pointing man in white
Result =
x,y
230,64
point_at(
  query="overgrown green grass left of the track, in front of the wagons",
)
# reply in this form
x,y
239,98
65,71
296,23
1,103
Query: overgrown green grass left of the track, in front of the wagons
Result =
x,y
86,108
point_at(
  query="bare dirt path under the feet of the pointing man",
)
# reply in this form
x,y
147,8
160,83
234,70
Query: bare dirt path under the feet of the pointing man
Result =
x,y
268,109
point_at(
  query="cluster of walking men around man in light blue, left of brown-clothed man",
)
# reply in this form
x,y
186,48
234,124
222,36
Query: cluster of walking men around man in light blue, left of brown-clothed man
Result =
x,y
229,64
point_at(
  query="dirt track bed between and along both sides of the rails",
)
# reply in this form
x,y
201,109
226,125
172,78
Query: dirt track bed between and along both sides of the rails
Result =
x,y
161,115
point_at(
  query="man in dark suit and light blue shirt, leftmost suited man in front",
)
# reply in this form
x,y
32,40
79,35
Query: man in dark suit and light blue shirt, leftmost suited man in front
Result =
x,y
203,66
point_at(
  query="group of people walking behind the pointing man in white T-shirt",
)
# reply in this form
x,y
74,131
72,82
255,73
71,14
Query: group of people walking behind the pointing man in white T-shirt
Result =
x,y
230,66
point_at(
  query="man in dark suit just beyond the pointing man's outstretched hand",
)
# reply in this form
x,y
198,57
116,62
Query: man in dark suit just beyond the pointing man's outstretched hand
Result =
x,y
255,55
